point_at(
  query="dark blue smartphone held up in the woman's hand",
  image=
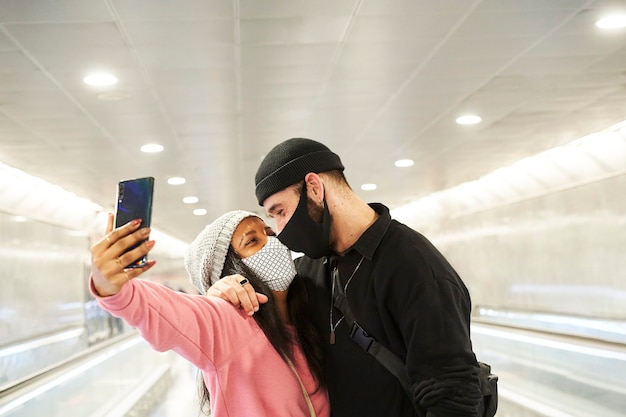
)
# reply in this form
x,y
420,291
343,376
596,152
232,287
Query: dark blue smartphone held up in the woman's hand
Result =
x,y
134,201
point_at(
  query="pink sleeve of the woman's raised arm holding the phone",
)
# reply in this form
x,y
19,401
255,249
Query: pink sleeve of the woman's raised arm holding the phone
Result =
x,y
204,330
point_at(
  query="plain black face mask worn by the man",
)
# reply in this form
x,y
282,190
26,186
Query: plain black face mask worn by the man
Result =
x,y
303,234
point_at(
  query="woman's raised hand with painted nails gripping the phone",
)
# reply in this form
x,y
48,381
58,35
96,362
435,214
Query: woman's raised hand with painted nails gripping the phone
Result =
x,y
109,257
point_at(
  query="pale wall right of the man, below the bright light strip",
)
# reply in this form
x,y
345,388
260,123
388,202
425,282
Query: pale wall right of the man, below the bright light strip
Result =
x,y
564,252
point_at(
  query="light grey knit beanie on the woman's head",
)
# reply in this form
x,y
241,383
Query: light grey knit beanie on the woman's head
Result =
x,y
206,255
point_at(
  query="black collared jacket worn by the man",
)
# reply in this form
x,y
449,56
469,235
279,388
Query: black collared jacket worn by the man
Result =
x,y
407,296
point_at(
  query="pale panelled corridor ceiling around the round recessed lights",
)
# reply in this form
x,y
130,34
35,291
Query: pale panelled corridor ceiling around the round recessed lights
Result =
x,y
218,83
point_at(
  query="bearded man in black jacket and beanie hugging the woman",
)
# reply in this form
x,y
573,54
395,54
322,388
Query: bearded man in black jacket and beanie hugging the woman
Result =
x,y
400,288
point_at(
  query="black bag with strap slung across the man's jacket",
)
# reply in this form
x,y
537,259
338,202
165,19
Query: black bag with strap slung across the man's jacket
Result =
x,y
488,382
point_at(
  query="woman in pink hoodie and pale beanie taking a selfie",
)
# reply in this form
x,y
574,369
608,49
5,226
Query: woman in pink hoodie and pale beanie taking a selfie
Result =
x,y
269,364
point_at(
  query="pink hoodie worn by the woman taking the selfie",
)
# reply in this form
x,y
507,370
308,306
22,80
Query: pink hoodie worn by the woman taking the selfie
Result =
x,y
242,370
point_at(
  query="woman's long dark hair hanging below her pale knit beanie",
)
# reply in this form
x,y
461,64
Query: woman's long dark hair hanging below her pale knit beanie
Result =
x,y
274,329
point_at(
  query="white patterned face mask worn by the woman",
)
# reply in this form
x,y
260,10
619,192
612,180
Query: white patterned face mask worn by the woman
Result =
x,y
273,264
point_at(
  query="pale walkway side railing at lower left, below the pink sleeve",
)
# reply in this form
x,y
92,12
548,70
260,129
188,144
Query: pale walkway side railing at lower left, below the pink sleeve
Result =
x,y
111,378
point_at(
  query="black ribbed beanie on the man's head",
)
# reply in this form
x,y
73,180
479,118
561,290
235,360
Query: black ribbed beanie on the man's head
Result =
x,y
289,162
